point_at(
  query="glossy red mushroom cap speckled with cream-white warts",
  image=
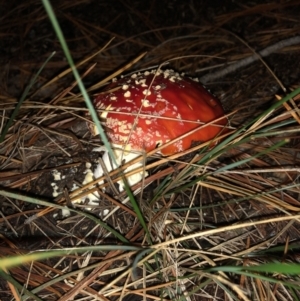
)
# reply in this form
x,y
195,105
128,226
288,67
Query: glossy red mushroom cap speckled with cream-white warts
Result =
x,y
151,108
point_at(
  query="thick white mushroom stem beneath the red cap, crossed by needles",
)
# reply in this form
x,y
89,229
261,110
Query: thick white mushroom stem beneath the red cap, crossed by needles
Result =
x,y
121,157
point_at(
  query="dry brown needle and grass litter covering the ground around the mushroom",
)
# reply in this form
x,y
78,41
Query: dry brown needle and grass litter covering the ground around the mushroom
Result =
x,y
207,208
